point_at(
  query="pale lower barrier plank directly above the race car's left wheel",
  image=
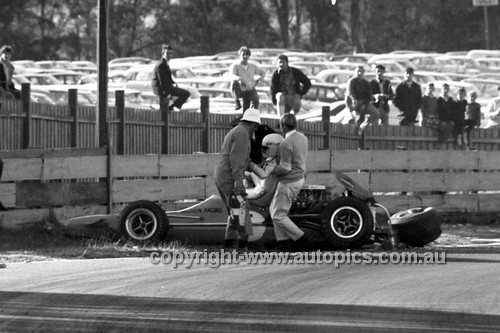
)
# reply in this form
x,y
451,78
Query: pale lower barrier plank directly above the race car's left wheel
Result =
x,y
159,190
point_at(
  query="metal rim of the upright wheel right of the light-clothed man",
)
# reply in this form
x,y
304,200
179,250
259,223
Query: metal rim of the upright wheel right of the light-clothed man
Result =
x,y
346,222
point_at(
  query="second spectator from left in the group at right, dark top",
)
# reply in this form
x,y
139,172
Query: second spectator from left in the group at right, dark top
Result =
x,y
382,94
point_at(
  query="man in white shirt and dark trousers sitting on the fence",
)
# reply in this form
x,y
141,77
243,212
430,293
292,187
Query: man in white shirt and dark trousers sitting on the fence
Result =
x,y
245,77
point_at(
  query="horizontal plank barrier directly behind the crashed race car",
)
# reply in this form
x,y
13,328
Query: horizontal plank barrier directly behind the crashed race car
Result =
x,y
450,181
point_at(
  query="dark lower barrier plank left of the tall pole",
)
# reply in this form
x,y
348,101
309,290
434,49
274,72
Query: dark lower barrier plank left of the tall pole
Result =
x,y
30,195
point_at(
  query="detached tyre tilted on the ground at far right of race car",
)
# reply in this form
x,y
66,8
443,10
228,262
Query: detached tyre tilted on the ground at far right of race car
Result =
x,y
416,226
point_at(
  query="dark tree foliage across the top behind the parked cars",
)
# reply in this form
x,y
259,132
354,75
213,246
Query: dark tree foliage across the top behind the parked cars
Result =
x,y
54,29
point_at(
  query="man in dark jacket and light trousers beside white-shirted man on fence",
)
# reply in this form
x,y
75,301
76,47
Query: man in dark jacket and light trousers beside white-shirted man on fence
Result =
x,y
288,85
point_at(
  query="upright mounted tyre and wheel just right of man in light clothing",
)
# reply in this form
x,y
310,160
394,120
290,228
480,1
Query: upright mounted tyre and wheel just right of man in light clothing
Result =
x,y
347,222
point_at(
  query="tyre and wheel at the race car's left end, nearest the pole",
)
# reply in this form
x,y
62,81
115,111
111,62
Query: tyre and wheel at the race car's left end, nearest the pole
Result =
x,y
144,221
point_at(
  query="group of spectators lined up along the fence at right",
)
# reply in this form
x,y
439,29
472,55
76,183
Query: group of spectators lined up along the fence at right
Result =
x,y
450,114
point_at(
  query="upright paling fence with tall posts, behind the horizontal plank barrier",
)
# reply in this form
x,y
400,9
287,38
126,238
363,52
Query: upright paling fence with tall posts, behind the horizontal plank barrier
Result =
x,y
144,131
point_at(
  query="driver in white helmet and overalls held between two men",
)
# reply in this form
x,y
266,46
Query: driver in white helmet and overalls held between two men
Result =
x,y
263,177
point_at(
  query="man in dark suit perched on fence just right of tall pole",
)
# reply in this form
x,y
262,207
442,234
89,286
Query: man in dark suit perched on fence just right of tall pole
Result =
x,y
163,84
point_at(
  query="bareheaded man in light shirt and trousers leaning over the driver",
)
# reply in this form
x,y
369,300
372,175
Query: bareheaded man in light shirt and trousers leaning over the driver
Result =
x,y
291,172
